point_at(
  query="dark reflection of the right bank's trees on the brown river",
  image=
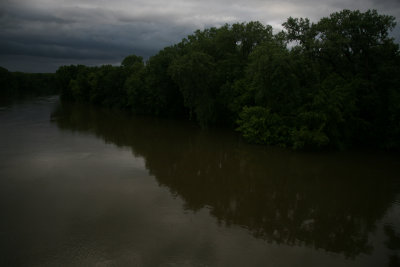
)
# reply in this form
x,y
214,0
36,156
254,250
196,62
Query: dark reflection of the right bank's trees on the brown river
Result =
x,y
324,201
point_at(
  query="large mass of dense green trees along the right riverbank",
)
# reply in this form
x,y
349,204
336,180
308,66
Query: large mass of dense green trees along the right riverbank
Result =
x,y
335,83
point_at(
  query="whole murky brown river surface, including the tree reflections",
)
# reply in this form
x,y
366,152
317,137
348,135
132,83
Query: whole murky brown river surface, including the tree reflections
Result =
x,y
81,186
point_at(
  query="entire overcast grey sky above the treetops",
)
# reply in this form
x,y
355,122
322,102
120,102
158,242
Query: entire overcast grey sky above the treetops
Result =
x,y
41,35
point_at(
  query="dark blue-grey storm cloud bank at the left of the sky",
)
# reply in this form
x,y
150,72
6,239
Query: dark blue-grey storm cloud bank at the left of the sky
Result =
x,y
77,35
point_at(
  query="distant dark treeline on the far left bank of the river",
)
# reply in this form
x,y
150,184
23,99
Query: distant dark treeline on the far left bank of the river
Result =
x,y
18,84
